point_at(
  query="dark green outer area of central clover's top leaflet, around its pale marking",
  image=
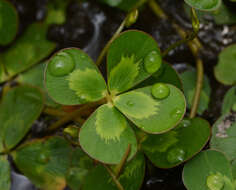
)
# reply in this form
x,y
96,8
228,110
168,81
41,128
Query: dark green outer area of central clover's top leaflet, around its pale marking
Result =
x,y
128,44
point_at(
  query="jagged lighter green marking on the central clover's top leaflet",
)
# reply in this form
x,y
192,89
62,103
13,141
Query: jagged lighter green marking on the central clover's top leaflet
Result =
x,y
122,75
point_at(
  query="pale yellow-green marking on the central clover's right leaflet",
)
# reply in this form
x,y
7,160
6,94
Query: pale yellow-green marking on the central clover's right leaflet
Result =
x,y
143,106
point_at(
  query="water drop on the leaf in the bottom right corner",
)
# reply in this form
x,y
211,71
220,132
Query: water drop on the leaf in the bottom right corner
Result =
x,y
215,181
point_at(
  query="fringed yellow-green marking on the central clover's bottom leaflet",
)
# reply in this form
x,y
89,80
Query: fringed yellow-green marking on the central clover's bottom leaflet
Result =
x,y
110,123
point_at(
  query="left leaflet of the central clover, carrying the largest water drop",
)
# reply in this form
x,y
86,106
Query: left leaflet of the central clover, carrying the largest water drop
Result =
x,y
72,86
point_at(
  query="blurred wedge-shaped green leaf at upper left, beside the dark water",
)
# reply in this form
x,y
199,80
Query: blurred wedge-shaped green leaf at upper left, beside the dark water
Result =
x,y
28,50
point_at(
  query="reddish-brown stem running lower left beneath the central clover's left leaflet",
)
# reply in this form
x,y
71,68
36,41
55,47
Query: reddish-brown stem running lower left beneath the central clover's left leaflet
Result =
x,y
67,118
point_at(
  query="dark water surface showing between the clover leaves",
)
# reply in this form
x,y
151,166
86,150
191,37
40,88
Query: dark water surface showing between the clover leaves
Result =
x,y
90,25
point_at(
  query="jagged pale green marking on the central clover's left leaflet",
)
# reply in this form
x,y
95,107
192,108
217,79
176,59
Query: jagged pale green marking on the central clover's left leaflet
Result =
x,y
88,84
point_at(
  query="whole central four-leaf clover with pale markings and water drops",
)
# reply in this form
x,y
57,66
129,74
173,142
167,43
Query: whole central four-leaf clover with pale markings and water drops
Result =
x,y
72,78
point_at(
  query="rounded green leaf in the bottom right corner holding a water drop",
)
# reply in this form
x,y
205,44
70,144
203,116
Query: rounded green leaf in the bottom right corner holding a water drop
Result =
x,y
208,171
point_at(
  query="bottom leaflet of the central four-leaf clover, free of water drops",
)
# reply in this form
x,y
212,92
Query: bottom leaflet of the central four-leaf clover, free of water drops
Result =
x,y
110,134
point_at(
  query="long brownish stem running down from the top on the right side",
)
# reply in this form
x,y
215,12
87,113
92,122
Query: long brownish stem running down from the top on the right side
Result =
x,y
194,45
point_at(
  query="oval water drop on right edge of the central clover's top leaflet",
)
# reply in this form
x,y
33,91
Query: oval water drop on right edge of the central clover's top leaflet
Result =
x,y
152,62
